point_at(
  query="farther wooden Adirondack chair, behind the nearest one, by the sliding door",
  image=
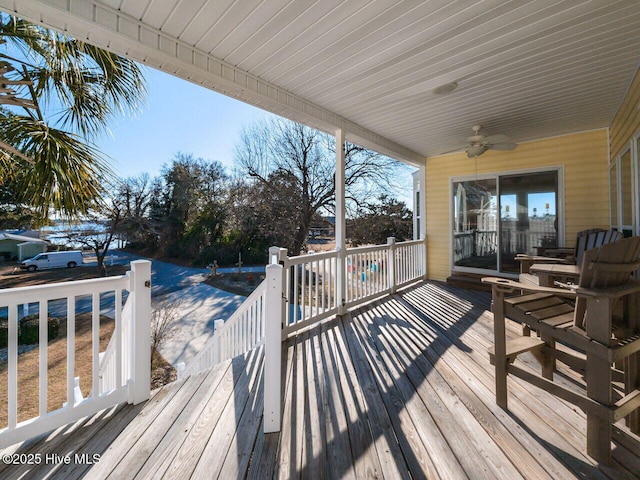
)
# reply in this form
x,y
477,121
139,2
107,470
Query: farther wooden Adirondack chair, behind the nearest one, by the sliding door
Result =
x,y
585,240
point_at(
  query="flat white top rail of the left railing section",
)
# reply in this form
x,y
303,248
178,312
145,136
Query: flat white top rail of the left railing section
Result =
x,y
62,289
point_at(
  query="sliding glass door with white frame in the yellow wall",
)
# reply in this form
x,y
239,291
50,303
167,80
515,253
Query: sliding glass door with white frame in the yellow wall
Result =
x,y
497,217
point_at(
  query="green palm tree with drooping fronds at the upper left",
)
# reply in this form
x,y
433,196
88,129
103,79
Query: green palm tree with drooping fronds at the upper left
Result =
x,y
56,95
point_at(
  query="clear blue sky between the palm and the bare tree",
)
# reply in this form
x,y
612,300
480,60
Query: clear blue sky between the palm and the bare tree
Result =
x,y
178,116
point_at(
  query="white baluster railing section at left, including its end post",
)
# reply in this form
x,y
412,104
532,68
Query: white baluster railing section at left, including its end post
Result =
x,y
122,375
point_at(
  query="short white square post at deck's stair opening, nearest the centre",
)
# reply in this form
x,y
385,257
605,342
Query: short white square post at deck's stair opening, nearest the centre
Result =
x,y
273,350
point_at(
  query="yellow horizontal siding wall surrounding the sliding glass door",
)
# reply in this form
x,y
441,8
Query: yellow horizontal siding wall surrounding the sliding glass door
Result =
x,y
584,157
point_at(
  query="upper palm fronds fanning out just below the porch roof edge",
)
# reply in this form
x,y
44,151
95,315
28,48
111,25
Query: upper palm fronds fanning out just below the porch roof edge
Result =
x,y
84,84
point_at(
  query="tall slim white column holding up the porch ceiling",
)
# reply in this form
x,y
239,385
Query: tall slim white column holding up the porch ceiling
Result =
x,y
341,228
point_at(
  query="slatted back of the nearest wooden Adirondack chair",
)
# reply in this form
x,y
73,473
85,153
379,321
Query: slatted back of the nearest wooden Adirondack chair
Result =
x,y
609,265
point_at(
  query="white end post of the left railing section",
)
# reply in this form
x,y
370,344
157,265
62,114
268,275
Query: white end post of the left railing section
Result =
x,y
141,335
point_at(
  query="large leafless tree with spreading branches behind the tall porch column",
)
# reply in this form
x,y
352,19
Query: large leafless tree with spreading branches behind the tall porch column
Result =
x,y
281,149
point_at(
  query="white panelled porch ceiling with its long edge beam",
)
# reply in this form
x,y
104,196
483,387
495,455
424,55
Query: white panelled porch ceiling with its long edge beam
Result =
x,y
528,69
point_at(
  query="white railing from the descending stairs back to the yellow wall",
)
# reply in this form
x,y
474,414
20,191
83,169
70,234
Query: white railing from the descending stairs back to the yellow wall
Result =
x,y
299,292
